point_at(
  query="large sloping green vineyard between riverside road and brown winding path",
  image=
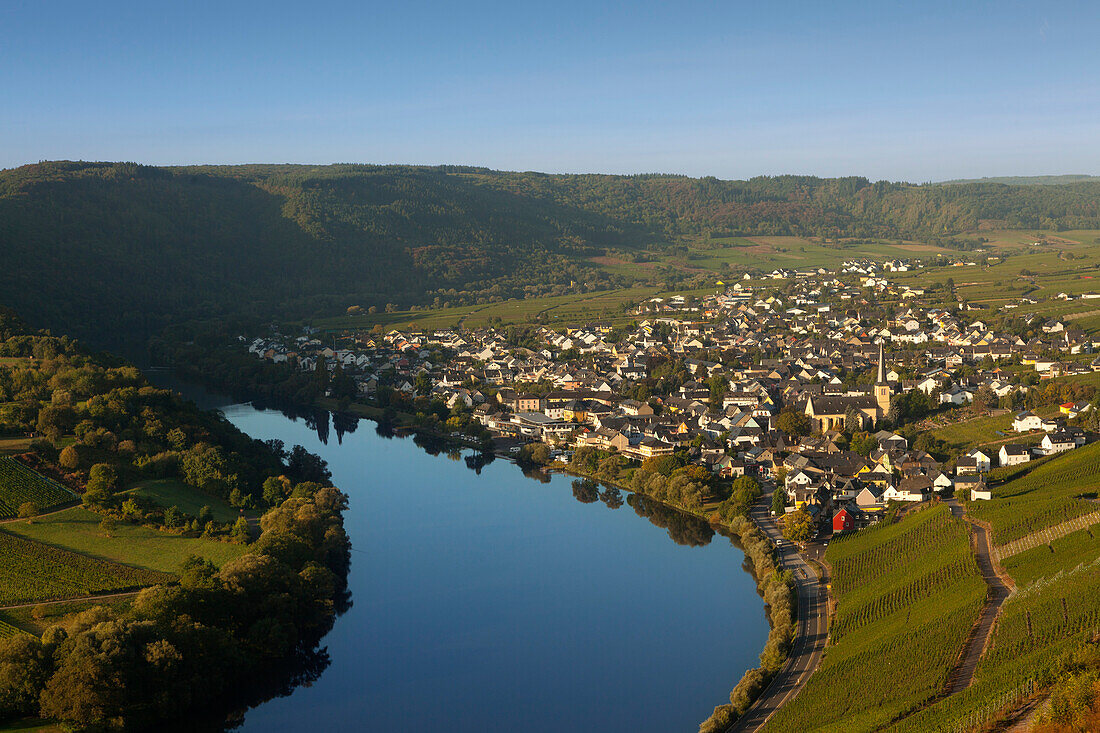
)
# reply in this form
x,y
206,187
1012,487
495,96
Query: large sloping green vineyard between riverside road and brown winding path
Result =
x,y
907,620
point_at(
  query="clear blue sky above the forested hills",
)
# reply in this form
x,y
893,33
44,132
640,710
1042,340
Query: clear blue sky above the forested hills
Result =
x,y
899,91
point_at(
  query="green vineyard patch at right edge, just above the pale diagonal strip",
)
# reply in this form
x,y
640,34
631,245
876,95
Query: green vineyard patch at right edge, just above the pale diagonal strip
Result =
x,y
1043,498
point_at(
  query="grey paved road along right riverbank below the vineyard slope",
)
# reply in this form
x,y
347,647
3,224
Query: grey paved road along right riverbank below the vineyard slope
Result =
x,y
812,623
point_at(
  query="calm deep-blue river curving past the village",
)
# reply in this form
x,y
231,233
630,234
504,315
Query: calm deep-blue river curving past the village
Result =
x,y
485,600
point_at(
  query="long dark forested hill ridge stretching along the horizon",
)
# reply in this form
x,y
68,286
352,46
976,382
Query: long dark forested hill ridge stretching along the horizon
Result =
x,y
114,253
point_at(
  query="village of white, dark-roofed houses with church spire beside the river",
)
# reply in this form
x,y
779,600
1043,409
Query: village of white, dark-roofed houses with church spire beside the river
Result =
x,y
735,364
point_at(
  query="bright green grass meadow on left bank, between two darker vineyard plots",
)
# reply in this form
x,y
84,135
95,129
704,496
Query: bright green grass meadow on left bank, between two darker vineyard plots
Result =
x,y
79,530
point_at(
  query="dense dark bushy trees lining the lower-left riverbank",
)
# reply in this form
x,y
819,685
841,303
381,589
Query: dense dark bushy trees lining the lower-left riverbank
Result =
x,y
217,637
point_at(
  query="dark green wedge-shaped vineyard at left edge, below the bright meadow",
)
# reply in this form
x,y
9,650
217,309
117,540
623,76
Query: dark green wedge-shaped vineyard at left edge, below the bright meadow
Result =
x,y
32,572
